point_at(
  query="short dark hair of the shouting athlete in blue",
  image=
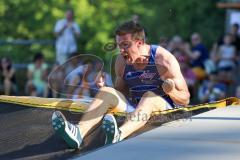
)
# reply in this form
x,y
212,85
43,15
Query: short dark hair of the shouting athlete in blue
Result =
x,y
129,27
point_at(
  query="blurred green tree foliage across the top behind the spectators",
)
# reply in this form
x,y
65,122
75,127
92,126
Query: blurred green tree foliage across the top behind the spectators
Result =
x,y
27,19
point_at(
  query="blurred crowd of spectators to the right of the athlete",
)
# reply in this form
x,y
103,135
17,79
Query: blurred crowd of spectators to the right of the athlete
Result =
x,y
210,74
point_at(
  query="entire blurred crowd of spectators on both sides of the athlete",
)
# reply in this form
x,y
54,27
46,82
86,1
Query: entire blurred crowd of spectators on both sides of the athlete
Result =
x,y
211,74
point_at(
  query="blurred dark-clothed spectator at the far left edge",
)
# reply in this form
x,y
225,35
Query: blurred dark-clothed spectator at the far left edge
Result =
x,y
7,77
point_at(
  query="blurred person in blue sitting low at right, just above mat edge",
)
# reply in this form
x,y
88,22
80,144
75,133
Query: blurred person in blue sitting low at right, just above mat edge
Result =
x,y
211,89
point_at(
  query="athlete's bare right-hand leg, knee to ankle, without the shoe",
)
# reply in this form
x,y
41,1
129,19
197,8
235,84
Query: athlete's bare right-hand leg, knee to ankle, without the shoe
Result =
x,y
150,102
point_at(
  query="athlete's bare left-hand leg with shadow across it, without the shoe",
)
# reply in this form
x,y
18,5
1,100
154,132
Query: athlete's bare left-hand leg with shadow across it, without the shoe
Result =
x,y
105,99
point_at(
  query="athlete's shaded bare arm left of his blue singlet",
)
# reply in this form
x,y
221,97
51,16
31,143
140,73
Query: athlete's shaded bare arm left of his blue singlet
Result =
x,y
119,70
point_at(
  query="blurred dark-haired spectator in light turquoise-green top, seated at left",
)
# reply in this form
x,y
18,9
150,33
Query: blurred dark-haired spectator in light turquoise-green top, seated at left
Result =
x,y
37,75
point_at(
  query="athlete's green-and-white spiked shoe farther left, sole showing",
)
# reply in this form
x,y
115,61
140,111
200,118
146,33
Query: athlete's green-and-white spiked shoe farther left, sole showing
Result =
x,y
69,132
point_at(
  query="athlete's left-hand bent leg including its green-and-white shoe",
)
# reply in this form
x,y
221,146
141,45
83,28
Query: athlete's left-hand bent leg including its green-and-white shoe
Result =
x,y
74,134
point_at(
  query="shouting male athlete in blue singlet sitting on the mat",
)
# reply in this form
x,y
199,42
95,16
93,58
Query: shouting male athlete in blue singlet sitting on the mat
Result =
x,y
148,79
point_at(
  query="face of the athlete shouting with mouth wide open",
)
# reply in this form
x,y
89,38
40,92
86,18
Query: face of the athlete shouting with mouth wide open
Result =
x,y
129,48
